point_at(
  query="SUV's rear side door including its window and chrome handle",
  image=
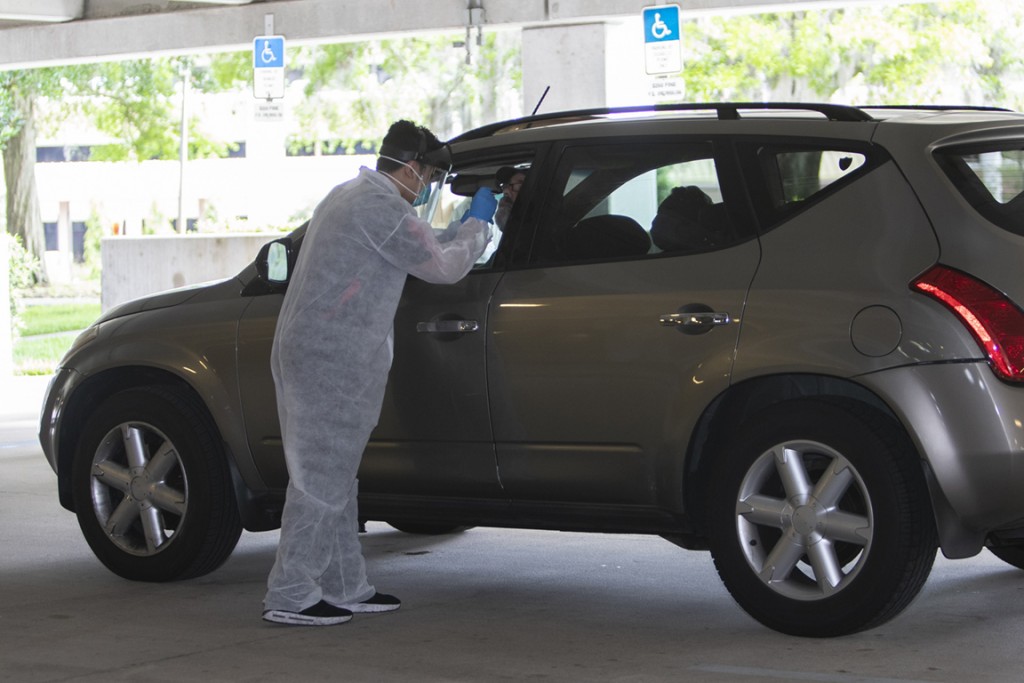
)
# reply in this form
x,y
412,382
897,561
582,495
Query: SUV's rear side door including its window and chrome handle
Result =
x,y
608,346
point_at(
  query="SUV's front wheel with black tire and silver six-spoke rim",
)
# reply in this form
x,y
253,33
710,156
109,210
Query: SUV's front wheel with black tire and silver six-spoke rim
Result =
x,y
169,513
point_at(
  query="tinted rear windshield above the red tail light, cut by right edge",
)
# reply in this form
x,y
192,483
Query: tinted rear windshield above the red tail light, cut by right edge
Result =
x,y
992,179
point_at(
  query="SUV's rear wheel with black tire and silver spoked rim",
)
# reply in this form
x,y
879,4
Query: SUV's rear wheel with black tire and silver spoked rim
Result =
x,y
821,521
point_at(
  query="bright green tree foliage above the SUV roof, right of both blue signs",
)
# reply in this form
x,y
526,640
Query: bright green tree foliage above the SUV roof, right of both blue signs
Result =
x,y
965,53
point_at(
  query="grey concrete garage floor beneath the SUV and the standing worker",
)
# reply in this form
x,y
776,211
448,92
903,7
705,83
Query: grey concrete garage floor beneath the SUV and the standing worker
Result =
x,y
484,606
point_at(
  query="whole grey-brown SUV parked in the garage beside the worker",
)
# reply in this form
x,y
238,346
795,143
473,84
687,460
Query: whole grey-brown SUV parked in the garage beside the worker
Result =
x,y
790,334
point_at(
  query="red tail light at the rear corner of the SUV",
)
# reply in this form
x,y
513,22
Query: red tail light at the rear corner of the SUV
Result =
x,y
996,322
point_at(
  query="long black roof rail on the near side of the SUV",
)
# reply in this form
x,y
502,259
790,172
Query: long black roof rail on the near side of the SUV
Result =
x,y
724,111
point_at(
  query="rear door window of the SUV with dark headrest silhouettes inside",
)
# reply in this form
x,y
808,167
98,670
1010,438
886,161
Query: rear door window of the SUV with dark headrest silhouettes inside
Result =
x,y
634,201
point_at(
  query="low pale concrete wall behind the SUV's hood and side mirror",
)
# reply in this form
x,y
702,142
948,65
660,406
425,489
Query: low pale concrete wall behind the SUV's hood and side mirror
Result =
x,y
138,267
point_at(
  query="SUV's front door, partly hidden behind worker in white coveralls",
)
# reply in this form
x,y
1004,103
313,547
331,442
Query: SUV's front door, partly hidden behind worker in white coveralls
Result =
x,y
434,445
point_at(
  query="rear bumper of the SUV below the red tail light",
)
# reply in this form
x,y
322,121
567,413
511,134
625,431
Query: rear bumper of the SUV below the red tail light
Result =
x,y
969,429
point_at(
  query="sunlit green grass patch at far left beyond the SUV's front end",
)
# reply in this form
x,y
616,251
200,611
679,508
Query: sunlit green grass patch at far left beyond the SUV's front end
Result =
x,y
61,325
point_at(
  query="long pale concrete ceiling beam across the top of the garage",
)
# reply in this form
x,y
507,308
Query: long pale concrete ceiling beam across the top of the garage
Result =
x,y
126,29
